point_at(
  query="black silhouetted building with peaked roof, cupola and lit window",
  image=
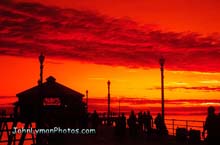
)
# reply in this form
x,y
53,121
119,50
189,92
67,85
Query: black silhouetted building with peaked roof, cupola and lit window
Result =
x,y
58,102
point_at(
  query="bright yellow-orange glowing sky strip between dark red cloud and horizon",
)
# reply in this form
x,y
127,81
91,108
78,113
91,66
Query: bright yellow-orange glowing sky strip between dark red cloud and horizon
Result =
x,y
125,82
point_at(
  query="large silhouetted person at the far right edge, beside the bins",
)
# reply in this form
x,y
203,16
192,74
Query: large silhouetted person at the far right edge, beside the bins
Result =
x,y
211,126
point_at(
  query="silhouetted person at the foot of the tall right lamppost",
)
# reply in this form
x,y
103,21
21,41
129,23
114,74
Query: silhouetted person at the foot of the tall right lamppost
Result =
x,y
160,125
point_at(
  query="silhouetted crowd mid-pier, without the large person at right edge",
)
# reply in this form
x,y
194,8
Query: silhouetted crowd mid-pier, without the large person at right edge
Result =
x,y
143,123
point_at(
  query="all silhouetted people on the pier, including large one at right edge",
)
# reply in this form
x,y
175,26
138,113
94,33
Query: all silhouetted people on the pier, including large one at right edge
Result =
x,y
144,122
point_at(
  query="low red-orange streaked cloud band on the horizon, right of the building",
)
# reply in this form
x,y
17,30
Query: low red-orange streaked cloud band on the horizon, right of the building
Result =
x,y
173,107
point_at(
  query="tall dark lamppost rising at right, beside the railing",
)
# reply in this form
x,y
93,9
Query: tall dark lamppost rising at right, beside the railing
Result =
x,y
162,61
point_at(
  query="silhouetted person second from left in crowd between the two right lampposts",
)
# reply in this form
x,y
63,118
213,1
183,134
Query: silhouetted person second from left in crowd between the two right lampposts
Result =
x,y
132,124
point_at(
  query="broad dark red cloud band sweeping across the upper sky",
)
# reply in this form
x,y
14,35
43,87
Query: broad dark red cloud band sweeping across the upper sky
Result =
x,y
29,28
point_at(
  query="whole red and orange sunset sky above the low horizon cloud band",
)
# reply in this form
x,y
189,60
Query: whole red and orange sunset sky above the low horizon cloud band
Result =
x,y
88,42
